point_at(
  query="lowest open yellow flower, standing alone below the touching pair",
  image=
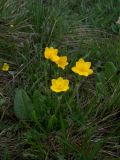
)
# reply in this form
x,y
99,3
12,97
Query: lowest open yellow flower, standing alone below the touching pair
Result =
x,y
59,85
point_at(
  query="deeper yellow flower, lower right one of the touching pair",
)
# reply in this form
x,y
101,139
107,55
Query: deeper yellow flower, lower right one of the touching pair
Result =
x,y
62,62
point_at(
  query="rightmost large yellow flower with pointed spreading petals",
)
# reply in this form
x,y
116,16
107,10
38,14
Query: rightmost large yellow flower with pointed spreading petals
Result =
x,y
82,68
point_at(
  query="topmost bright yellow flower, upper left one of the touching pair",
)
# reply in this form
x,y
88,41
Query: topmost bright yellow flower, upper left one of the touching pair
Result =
x,y
50,52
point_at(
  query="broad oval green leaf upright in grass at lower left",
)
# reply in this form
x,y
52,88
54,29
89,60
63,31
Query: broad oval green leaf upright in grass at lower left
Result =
x,y
23,106
